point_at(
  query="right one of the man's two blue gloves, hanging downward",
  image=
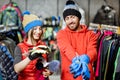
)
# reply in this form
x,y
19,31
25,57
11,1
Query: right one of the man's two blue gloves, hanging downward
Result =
x,y
84,59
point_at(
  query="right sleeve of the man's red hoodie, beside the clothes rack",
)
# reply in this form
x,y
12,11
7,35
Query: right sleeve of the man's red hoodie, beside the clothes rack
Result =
x,y
92,46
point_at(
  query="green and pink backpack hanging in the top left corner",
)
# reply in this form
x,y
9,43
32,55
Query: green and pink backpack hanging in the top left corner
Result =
x,y
11,17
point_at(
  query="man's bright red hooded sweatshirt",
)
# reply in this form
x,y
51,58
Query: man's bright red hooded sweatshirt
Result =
x,y
70,42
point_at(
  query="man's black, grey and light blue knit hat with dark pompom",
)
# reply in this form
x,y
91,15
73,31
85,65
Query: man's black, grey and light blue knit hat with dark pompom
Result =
x,y
71,9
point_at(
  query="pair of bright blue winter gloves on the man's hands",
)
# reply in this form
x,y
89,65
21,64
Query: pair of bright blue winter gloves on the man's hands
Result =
x,y
79,67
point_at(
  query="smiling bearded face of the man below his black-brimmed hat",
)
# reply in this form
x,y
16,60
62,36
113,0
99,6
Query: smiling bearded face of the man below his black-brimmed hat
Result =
x,y
72,22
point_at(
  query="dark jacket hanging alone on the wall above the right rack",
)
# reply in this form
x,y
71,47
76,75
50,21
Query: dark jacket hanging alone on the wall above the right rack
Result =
x,y
106,15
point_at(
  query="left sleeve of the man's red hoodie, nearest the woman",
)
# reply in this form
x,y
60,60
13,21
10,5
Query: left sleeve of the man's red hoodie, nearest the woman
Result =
x,y
64,45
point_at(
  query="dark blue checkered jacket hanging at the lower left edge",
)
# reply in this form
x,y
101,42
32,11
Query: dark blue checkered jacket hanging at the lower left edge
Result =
x,y
6,64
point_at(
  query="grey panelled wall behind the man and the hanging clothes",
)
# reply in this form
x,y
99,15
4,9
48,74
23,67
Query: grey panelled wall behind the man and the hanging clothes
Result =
x,y
47,8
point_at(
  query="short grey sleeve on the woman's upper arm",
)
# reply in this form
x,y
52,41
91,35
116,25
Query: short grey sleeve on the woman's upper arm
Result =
x,y
17,55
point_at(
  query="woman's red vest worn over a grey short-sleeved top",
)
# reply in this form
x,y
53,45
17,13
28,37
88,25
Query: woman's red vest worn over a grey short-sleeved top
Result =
x,y
30,72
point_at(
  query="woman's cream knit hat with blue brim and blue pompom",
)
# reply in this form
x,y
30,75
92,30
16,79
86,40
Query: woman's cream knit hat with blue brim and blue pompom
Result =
x,y
30,21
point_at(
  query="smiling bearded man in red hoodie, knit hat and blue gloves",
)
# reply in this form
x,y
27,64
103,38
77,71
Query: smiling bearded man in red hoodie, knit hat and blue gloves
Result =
x,y
78,46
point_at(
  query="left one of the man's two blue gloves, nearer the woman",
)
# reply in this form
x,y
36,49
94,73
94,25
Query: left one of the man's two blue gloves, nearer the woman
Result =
x,y
75,67
